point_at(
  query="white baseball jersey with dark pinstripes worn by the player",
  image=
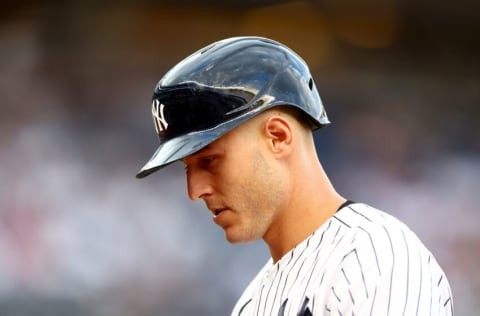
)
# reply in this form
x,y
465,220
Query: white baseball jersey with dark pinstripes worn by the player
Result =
x,y
362,261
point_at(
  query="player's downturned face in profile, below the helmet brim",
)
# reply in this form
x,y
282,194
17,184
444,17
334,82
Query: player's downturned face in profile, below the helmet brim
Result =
x,y
236,178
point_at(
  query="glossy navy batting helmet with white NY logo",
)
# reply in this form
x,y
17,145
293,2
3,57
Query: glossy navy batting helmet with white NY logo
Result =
x,y
221,86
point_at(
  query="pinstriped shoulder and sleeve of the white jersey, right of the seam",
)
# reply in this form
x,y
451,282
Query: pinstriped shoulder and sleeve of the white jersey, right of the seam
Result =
x,y
386,267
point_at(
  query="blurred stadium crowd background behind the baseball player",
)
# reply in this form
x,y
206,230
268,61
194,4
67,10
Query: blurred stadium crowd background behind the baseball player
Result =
x,y
79,235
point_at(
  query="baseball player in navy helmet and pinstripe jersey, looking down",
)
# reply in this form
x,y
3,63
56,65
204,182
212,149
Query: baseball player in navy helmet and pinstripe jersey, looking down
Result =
x,y
239,114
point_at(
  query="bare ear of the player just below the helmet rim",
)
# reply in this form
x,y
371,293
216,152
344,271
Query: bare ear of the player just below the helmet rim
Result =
x,y
279,132
